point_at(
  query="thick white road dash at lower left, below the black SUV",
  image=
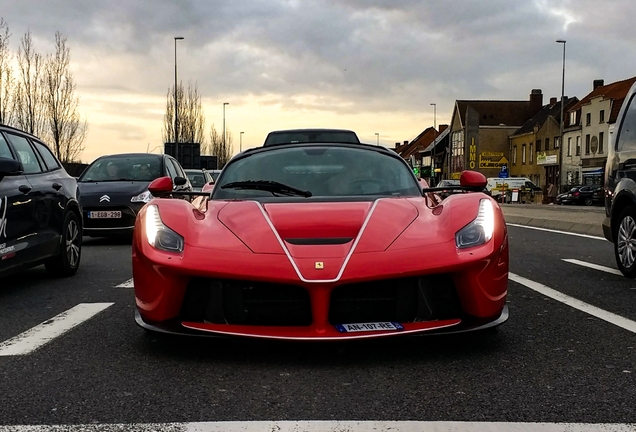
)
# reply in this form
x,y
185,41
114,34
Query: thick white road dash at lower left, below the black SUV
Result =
x,y
34,338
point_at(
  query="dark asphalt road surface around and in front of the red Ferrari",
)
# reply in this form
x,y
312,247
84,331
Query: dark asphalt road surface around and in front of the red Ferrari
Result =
x,y
566,355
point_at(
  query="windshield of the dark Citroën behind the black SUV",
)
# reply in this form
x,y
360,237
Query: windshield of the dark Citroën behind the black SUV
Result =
x,y
133,168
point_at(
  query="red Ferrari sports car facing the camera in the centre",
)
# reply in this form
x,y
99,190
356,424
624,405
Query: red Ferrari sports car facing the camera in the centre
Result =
x,y
320,241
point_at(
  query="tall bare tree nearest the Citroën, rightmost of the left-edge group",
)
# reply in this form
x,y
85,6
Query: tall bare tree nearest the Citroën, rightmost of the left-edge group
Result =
x,y
63,123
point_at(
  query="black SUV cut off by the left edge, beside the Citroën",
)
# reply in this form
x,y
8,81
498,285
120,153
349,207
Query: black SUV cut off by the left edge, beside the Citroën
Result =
x,y
40,216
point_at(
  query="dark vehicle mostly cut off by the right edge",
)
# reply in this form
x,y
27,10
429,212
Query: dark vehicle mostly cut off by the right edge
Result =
x,y
619,225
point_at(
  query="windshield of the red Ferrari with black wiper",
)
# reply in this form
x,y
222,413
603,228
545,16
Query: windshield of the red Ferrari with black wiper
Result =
x,y
317,171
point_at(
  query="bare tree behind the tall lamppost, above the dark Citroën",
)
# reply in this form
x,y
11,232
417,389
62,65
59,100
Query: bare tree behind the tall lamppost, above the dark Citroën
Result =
x,y
191,120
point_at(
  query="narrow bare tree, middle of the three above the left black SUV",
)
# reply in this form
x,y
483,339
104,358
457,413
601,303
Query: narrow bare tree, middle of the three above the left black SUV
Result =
x,y
27,99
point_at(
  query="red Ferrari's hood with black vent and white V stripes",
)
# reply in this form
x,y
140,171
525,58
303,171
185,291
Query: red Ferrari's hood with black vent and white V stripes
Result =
x,y
325,230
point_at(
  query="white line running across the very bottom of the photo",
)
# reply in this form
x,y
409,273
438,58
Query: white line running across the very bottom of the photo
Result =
x,y
333,426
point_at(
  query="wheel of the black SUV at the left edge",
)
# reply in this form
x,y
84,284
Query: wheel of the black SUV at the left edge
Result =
x,y
67,262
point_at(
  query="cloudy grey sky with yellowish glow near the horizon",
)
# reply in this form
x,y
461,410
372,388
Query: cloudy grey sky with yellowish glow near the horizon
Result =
x,y
373,66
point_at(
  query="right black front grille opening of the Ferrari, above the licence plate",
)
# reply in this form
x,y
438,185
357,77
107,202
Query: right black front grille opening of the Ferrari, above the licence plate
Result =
x,y
402,300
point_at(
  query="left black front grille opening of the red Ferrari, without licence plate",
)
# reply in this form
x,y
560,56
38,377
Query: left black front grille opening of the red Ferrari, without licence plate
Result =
x,y
246,303
